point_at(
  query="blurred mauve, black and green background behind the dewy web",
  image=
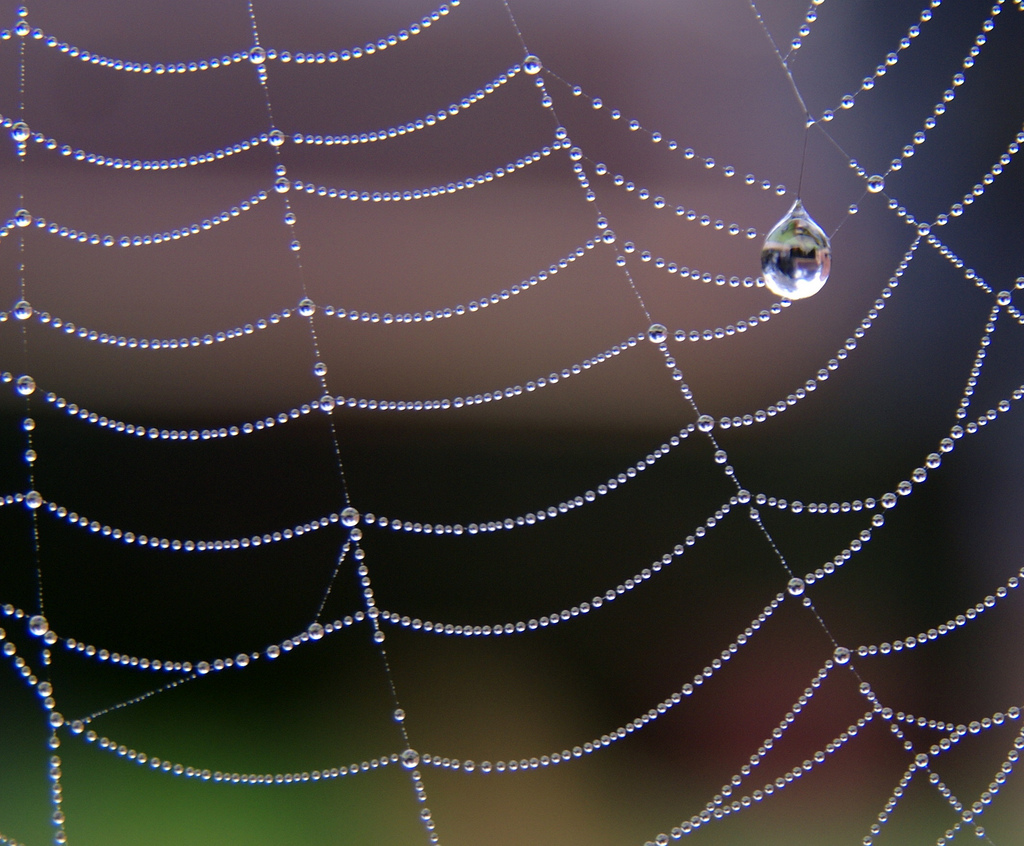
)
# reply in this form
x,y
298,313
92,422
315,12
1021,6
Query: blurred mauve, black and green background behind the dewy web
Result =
x,y
701,73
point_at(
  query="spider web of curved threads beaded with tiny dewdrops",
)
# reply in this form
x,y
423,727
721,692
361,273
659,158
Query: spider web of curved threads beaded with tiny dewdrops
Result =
x,y
32,642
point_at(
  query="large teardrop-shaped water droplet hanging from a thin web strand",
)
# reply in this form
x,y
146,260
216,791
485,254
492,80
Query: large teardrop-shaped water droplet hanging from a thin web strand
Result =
x,y
797,258
